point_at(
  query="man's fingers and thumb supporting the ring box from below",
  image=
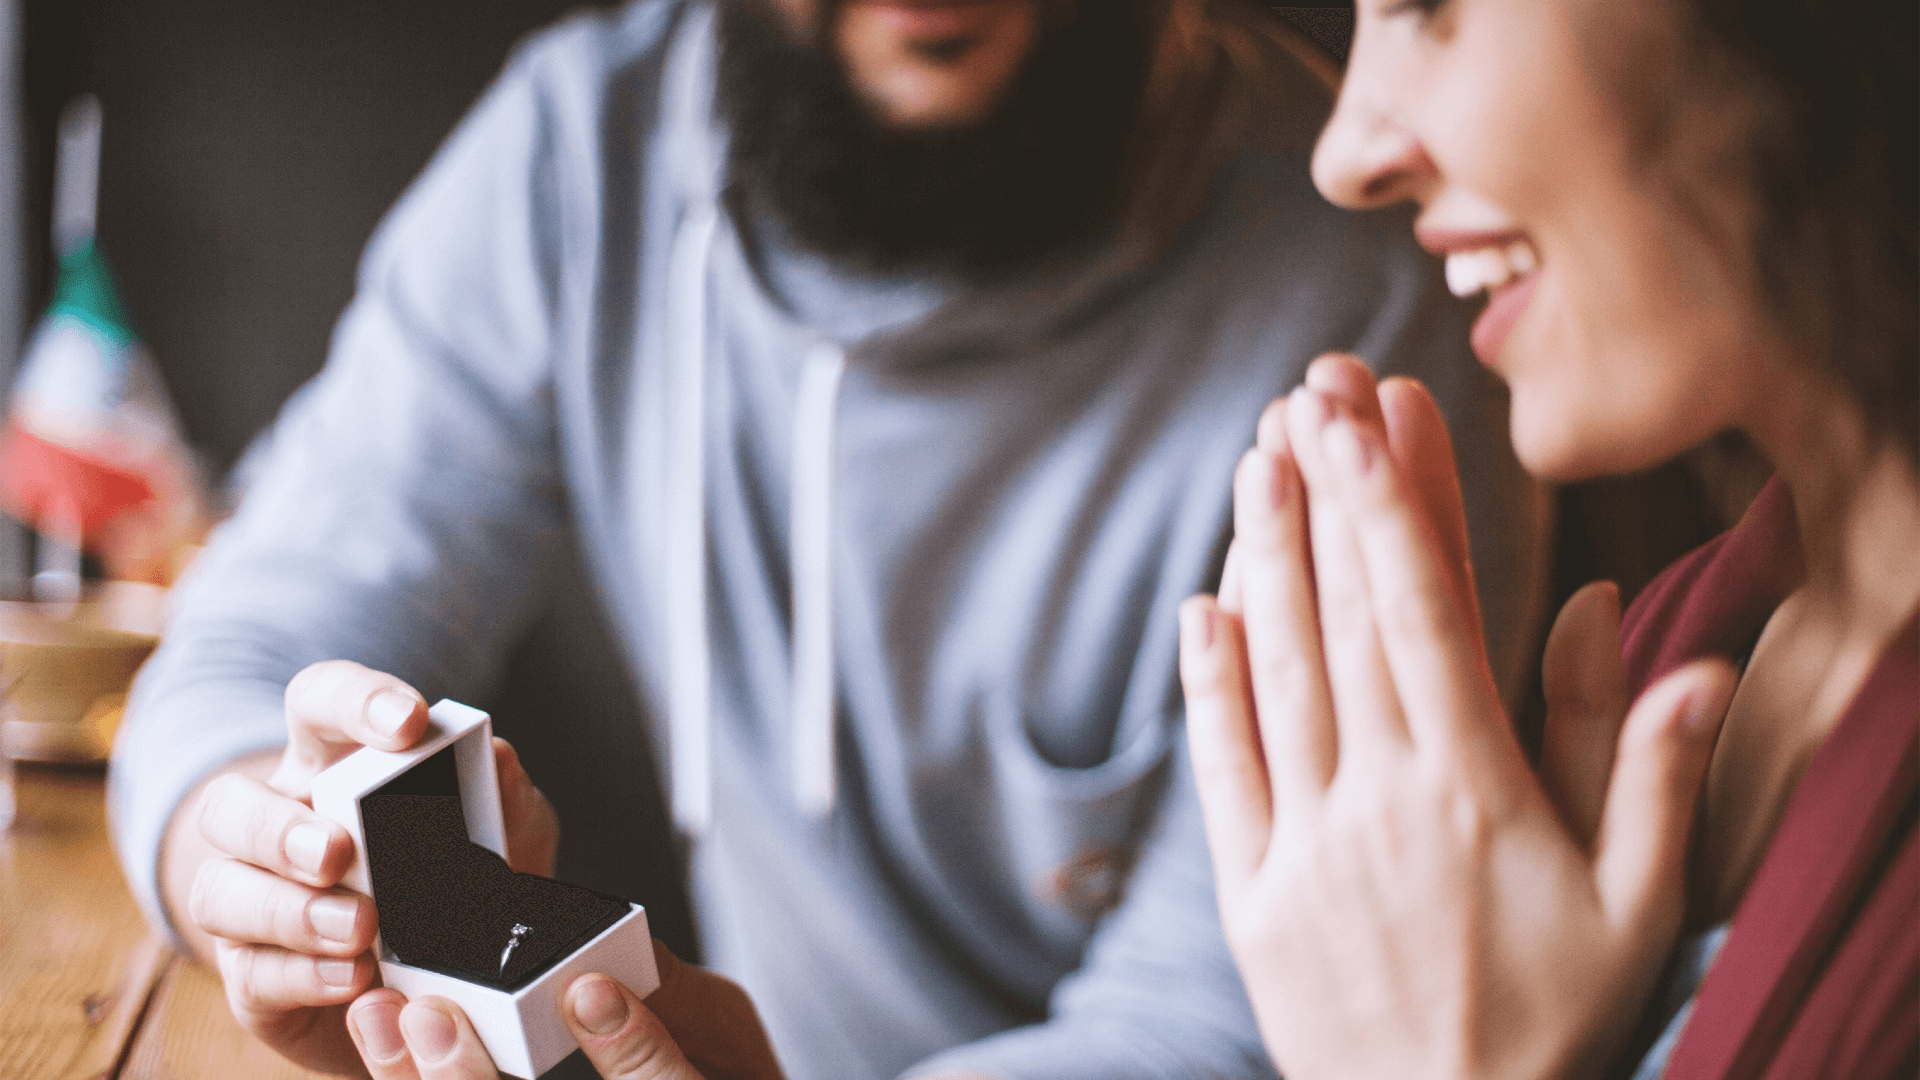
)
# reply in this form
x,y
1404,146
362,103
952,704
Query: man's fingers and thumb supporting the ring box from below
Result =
x,y
696,1027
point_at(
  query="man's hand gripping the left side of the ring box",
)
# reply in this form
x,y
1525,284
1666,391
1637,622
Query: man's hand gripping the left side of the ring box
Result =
x,y
291,945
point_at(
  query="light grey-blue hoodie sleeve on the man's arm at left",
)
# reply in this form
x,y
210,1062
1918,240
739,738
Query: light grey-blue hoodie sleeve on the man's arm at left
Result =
x,y
395,512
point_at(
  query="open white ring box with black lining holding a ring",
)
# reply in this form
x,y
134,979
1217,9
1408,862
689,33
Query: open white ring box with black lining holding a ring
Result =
x,y
456,921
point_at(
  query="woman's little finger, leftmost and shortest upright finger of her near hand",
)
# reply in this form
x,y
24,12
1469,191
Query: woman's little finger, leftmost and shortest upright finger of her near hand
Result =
x,y
1226,743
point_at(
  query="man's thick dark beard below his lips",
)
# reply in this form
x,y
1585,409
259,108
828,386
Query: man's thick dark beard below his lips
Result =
x,y
1042,172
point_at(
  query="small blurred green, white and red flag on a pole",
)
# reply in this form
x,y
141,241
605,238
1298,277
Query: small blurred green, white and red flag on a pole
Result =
x,y
93,454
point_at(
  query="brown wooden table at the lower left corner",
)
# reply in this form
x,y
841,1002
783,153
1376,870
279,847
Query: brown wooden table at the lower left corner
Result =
x,y
85,991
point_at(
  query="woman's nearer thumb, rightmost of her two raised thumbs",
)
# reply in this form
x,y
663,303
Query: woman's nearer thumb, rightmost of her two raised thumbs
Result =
x,y
1658,772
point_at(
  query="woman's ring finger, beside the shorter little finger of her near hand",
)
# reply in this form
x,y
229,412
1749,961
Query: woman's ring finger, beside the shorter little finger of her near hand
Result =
x,y
1285,668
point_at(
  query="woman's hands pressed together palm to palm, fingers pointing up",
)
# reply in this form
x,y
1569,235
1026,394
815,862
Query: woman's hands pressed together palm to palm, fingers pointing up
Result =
x,y
1403,891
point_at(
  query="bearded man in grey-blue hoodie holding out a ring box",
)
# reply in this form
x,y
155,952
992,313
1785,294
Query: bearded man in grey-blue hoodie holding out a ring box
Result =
x,y
886,362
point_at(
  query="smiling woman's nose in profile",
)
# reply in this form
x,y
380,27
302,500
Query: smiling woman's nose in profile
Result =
x,y
1366,159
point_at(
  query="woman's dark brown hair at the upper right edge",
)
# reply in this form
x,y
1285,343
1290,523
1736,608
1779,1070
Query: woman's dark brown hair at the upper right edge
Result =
x,y
1835,176
